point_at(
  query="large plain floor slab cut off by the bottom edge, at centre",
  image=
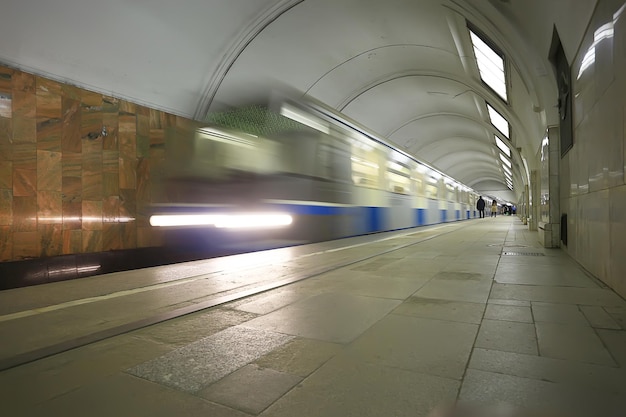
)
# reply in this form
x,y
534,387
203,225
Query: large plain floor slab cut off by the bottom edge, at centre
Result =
x,y
345,387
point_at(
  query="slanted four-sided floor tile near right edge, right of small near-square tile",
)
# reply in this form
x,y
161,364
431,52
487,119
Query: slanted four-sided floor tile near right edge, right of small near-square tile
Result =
x,y
572,342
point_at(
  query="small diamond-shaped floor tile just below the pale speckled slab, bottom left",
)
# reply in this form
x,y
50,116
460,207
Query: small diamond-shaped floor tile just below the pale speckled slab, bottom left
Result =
x,y
250,389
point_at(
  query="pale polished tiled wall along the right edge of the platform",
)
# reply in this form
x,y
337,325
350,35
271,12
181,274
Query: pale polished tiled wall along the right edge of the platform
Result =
x,y
593,170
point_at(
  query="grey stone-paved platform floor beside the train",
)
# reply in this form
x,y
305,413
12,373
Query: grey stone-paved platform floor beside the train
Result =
x,y
474,311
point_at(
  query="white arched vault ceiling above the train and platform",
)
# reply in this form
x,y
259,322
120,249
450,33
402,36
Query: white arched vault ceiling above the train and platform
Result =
x,y
403,68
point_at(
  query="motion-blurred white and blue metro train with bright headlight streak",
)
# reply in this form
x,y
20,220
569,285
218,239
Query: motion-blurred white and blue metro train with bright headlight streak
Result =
x,y
313,175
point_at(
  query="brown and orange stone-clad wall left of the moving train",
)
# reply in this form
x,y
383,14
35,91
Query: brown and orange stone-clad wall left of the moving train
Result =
x,y
77,168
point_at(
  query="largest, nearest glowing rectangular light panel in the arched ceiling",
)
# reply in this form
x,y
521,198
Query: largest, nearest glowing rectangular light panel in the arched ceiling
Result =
x,y
490,65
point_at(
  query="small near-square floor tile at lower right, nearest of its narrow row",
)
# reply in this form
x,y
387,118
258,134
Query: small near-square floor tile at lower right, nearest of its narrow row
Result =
x,y
508,336
